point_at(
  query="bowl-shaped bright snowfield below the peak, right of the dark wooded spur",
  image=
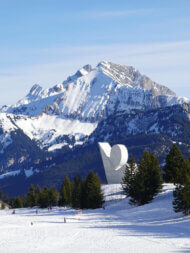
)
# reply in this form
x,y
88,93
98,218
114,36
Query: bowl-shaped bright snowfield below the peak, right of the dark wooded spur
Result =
x,y
47,130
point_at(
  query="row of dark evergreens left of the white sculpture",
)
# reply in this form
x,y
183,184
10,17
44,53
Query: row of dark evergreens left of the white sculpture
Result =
x,y
85,193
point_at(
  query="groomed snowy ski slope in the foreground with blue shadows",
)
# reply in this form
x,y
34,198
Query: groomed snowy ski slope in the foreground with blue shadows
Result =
x,y
117,228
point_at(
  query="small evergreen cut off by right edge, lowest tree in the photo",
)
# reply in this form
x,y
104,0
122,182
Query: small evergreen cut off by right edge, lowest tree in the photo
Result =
x,y
181,201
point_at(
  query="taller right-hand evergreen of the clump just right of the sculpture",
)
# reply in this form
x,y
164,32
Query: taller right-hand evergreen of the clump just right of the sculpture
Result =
x,y
147,181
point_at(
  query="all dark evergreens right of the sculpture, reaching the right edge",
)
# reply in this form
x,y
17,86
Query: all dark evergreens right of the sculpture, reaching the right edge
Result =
x,y
143,181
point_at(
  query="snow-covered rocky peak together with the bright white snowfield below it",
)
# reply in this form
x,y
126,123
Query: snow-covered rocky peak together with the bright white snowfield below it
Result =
x,y
74,108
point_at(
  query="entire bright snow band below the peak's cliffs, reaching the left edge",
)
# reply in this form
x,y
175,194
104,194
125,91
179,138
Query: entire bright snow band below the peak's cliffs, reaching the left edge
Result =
x,y
49,131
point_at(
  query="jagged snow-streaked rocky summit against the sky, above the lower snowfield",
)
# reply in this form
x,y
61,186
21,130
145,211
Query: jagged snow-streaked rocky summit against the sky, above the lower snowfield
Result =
x,y
94,93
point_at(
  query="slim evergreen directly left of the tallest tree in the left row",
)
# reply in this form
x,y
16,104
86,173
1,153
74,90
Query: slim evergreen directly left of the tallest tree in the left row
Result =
x,y
76,193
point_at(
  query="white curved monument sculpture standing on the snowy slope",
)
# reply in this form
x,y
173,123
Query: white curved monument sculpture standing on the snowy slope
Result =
x,y
114,161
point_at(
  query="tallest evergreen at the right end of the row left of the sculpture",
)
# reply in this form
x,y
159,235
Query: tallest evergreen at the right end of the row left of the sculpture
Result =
x,y
94,196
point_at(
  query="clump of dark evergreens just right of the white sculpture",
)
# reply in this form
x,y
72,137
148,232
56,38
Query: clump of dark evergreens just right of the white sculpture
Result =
x,y
142,182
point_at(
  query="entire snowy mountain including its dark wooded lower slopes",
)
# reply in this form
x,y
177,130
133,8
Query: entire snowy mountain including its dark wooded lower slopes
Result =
x,y
110,102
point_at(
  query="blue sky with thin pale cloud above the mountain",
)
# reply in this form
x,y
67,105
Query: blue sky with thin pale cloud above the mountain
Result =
x,y
44,41
